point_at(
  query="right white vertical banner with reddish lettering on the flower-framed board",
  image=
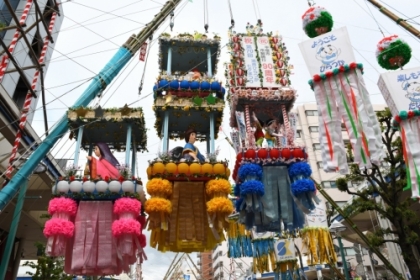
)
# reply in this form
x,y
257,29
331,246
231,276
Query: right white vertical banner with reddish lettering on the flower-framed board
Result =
x,y
266,58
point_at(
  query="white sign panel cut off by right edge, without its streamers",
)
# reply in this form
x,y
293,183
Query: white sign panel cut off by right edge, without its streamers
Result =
x,y
401,89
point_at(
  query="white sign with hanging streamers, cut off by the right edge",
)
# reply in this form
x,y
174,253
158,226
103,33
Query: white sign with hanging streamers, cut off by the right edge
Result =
x,y
401,91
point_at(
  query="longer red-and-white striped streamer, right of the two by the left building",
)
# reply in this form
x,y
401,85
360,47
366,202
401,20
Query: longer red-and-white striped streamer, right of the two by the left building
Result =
x,y
28,99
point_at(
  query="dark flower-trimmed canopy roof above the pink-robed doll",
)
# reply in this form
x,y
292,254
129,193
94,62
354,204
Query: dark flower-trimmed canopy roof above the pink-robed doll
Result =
x,y
109,126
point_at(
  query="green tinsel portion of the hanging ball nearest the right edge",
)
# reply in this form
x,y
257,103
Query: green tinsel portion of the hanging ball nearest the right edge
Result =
x,y
397,48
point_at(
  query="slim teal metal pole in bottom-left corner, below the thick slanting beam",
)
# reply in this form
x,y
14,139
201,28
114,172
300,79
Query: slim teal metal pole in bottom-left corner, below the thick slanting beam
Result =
x,y
12,232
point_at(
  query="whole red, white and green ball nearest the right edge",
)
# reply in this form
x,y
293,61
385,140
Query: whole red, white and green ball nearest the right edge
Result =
x,y
393,53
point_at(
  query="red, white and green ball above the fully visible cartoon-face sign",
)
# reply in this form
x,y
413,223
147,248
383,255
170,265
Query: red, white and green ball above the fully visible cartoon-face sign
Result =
x,y
317,21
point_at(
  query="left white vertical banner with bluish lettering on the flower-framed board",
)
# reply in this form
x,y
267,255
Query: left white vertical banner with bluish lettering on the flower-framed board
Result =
x,y
251,63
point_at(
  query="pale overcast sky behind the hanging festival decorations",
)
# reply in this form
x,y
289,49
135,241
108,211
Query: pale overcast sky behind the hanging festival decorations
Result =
x,y
93,30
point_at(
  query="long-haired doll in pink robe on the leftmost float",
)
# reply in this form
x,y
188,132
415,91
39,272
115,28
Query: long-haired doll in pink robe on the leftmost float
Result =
x,y
104,164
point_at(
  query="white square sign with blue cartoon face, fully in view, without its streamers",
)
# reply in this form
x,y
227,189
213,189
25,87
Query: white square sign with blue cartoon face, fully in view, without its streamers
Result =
x,y
328,51
